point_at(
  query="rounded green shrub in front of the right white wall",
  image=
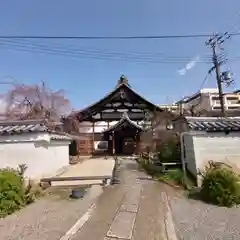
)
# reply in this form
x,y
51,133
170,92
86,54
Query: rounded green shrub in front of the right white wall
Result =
x,y
220,186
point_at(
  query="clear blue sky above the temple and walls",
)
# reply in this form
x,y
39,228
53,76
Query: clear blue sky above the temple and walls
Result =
x,y
88,79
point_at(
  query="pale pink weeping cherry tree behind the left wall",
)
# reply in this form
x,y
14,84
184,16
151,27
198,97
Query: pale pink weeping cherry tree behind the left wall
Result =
x,y
37,101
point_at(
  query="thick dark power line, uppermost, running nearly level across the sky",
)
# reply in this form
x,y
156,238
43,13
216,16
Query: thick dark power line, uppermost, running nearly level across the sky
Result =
x,y
109,37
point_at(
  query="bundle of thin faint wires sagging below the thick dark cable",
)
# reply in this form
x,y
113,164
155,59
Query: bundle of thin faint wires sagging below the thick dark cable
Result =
x,y
62,50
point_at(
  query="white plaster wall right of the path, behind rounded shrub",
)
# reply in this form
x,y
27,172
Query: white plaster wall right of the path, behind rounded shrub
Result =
x,y
216,147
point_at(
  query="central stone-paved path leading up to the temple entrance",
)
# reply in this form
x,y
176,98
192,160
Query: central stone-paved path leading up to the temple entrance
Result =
x,y
132,210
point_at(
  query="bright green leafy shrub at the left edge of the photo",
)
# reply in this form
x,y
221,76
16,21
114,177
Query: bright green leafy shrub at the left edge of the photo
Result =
x,y
12,193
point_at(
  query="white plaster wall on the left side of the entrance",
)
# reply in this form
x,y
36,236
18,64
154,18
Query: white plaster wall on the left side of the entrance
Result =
x,y
41,157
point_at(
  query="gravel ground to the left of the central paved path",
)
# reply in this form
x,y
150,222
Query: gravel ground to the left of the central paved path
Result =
x,y
47,219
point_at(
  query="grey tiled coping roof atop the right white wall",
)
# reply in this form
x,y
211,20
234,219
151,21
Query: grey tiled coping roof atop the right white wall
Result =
x,y
213,124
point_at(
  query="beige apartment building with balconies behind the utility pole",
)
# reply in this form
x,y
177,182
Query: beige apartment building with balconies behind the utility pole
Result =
x,y
208,99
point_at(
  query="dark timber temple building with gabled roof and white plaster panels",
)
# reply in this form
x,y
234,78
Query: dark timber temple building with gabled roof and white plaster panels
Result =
x,y
113,125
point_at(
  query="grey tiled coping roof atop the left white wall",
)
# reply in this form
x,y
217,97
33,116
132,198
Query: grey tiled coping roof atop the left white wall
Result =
x,y
29,126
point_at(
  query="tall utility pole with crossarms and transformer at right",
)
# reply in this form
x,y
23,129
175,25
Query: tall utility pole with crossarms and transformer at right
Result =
x,y
214,42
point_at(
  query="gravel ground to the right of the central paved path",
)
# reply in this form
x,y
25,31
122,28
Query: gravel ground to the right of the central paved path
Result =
x,y
195,220
